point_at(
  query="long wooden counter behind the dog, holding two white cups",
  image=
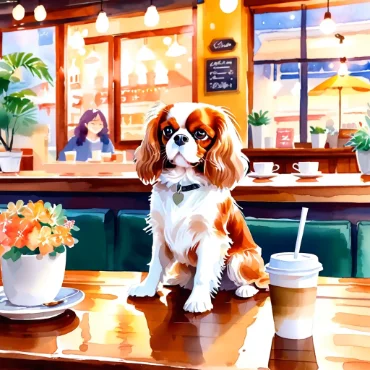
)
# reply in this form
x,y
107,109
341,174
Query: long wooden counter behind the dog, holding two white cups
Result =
x,y
347,188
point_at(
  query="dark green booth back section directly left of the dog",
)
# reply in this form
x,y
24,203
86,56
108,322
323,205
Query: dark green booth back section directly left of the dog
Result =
x,y
133,245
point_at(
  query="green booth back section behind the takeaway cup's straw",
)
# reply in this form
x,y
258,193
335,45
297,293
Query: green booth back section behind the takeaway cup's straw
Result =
x,y
330,241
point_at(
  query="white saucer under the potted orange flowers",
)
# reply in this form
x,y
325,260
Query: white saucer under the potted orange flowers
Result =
x,y
71,296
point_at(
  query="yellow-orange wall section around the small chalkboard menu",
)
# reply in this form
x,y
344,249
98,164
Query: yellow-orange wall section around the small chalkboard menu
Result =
x,y
212,23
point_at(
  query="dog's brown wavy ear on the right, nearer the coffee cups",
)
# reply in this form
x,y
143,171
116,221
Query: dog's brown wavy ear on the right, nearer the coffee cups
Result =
x,y
225,163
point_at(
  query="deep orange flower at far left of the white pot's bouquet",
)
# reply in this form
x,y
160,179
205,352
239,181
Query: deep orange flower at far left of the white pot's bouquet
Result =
x,y
17,232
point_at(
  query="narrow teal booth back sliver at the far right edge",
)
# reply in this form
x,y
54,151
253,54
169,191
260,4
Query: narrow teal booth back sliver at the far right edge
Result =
x,y
363,249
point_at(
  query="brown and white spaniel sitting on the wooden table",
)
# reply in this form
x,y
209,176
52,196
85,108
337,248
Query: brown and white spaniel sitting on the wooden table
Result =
x,y
194,241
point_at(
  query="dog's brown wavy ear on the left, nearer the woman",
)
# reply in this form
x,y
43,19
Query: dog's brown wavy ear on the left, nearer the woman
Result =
x,y
148,156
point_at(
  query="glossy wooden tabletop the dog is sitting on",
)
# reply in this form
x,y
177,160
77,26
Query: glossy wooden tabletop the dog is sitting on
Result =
x,y
109,329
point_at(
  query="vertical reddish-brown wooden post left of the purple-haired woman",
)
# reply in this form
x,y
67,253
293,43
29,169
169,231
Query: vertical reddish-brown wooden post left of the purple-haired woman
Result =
x,y
61,114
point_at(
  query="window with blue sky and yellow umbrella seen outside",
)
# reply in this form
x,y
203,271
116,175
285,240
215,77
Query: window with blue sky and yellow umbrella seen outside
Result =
x,y
282,67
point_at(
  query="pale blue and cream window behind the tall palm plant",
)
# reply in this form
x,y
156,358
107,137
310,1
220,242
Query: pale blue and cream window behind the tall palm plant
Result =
x,y
41,137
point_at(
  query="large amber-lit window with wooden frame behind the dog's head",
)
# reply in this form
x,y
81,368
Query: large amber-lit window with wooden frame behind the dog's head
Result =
x,y
126,71
